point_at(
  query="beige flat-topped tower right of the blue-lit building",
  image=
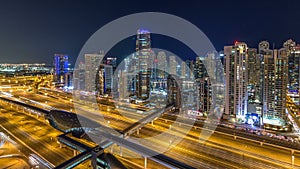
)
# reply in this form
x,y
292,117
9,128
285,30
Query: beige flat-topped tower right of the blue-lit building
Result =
x,y
92,62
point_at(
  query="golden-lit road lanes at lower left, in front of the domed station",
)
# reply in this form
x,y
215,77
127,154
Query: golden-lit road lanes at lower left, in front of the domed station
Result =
x,y
41,138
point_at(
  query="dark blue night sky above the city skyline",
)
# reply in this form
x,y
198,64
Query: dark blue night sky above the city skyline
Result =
x,y
32,31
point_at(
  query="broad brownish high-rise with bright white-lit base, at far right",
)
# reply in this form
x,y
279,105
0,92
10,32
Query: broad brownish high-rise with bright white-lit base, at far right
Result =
x,y
275,86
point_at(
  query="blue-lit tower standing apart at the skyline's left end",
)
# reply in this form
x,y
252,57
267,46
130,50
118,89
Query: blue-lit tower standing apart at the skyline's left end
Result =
x,y
61,68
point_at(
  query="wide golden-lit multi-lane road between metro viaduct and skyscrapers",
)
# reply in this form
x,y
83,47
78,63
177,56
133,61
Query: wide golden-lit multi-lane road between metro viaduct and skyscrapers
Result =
x,y
220,149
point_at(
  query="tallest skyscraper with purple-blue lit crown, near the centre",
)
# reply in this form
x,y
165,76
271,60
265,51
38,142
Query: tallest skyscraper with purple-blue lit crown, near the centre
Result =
x,y
143,51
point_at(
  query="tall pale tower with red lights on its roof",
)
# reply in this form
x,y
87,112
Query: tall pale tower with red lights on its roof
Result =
x,y
236,81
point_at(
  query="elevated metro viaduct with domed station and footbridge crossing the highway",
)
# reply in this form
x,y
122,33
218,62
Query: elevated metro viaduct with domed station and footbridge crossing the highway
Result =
x,y
68,122
